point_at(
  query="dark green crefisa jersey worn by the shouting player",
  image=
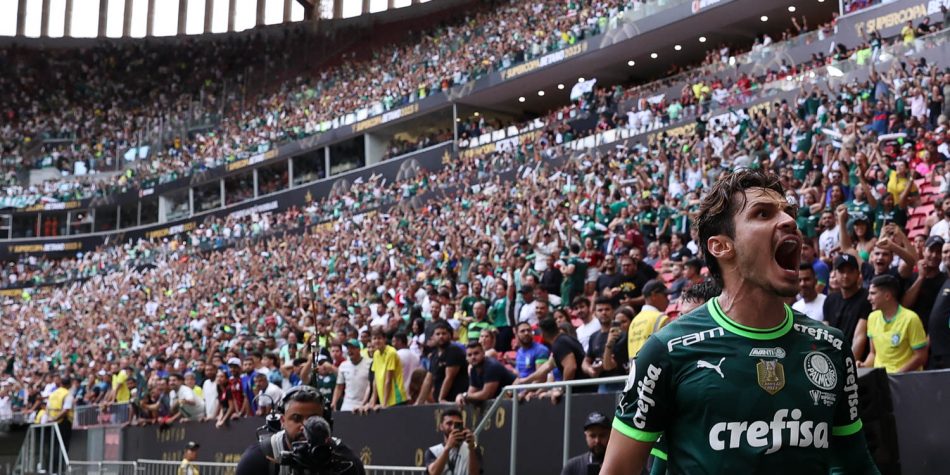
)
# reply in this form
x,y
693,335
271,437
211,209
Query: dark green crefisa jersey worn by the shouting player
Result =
x,y
733,399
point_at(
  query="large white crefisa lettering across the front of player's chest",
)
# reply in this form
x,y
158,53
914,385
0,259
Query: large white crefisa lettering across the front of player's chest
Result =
x,y
771,434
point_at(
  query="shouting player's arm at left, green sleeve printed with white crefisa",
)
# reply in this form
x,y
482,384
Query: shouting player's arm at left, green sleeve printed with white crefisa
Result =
x,y
643,412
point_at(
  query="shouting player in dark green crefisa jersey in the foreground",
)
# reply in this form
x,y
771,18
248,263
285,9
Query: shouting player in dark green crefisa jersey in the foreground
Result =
x,y
743,384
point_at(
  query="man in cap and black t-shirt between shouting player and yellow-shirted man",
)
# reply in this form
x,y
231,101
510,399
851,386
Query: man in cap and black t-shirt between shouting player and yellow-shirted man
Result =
x,y
848,309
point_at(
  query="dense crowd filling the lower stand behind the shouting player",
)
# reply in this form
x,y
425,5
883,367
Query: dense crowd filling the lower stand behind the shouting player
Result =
x,y
456,283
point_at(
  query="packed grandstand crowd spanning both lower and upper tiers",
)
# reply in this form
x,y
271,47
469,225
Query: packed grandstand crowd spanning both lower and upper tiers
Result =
x,y
585,207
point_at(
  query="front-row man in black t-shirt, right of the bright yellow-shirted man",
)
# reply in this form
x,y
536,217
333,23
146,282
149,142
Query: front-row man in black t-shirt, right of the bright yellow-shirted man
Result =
x,y
448,373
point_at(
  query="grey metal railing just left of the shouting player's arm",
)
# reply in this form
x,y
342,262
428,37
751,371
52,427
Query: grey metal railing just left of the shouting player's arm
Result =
x,y
567,385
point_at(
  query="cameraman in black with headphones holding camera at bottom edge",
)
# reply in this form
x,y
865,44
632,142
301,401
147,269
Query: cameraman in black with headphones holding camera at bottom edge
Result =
x,y
303,445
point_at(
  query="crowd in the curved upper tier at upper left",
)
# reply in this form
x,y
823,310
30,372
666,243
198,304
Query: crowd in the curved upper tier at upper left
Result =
x,y
102,124
